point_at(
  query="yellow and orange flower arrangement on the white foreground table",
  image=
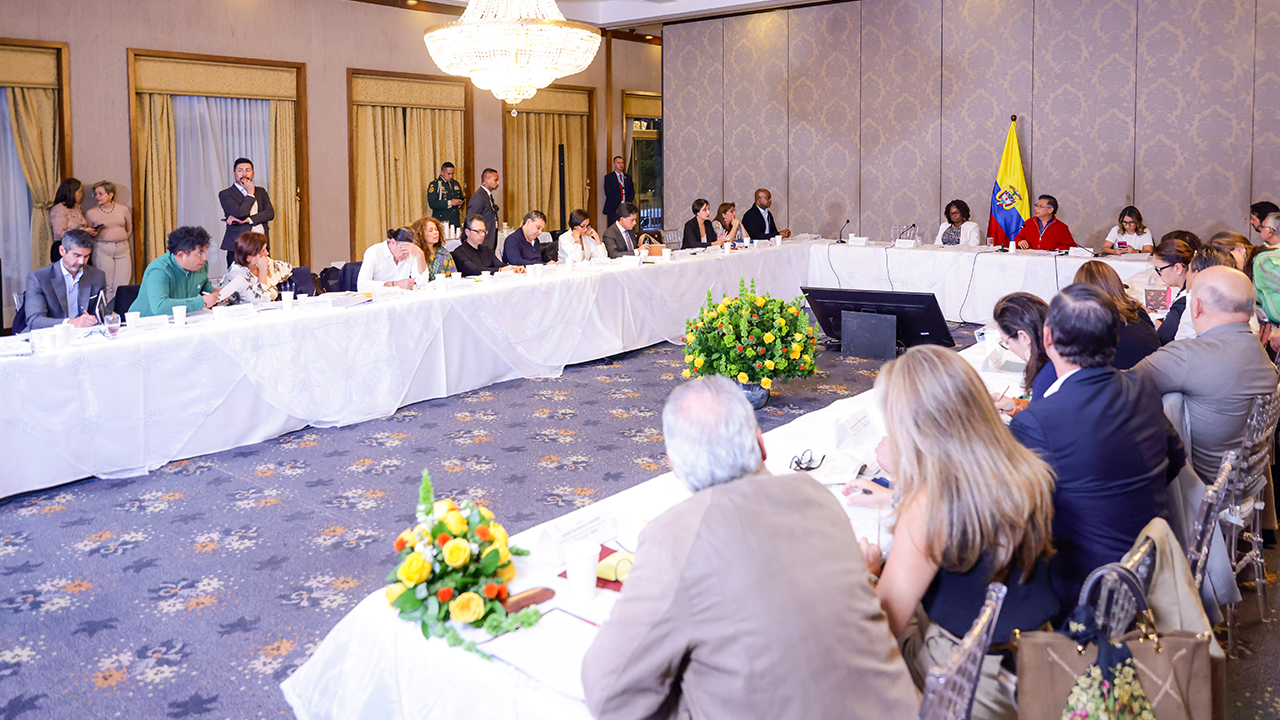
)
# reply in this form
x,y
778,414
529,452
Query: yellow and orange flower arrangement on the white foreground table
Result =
x,y
455,566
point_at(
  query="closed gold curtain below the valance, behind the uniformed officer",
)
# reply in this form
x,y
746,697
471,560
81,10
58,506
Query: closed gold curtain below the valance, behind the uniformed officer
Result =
x,y
399,152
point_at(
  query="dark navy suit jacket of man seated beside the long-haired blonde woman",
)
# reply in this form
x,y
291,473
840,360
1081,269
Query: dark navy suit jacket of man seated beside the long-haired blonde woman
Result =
x,y
1113,452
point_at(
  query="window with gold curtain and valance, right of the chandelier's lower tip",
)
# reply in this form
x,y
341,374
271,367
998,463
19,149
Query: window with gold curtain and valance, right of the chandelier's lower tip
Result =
x,y
552,119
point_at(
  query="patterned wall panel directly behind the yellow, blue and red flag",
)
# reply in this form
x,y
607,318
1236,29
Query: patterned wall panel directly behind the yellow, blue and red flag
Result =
x,y
986,78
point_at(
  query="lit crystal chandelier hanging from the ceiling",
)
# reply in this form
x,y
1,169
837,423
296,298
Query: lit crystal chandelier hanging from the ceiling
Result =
x,y
513,48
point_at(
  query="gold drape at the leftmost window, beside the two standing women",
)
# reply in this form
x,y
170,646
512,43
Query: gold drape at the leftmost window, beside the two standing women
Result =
x,y
34,113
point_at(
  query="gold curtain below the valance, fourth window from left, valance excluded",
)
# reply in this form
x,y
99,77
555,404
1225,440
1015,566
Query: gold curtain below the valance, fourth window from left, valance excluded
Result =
x,y
533,163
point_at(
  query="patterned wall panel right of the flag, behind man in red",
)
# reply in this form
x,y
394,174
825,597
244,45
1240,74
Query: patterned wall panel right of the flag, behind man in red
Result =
x,y
1084,145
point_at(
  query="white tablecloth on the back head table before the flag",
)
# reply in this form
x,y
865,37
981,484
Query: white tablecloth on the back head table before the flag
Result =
x,y
967,281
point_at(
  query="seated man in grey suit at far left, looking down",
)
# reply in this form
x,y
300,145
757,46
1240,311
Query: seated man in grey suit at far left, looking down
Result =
x,y
66,291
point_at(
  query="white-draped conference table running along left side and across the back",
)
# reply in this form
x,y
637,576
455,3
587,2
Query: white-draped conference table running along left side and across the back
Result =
x,y
129,407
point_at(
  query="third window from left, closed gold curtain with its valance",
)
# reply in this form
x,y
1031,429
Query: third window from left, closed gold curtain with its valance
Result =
x,y
404,131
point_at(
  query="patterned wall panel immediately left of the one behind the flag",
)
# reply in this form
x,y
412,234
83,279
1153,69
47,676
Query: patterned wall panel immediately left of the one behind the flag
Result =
x,y
902,67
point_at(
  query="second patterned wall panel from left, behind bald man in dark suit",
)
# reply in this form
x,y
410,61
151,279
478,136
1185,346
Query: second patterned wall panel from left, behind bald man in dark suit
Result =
x,y
756,110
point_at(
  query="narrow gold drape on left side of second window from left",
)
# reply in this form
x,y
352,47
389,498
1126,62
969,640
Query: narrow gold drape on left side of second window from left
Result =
x,y
159,172
